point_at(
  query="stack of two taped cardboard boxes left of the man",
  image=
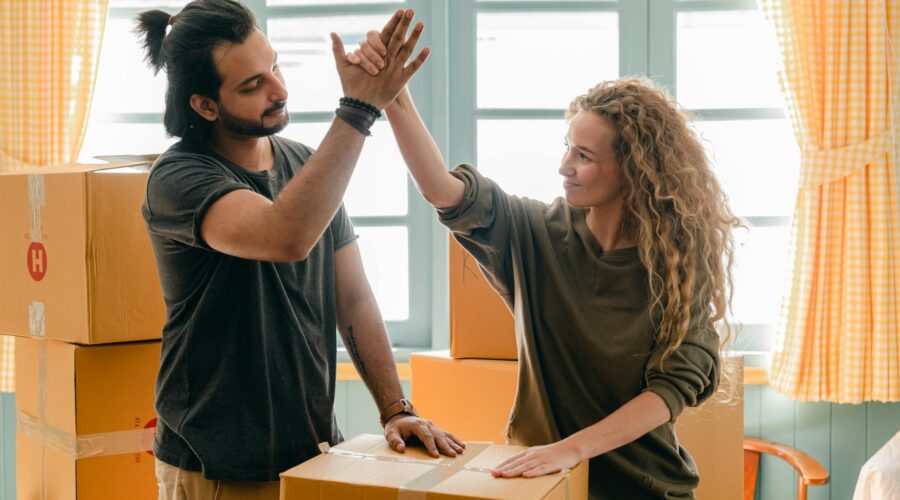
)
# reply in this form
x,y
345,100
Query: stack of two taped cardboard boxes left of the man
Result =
x,y
82,296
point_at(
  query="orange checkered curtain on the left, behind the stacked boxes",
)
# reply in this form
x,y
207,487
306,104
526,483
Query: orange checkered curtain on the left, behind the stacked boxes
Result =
x,y
49,50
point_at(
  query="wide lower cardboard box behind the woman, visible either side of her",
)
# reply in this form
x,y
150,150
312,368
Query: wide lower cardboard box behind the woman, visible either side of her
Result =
x,y
472,399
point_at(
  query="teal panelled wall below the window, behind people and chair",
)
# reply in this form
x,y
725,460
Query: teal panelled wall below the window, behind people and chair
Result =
x,y
841,437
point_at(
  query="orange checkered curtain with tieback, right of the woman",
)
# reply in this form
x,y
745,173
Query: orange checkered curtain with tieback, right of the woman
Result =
x,y
839,338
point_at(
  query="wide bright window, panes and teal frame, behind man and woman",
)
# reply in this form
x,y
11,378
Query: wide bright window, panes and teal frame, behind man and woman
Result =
x,y
499,77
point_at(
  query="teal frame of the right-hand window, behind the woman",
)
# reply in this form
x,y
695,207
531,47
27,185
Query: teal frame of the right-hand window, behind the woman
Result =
x,y
647,46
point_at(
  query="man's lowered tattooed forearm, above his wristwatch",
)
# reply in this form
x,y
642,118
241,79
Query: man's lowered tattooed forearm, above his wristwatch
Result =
x,y
367,343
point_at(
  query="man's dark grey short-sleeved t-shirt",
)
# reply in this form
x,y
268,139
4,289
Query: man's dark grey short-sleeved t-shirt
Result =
x,y
246,382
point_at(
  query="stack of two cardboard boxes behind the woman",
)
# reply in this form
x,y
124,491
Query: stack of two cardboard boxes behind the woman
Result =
x,y
469,389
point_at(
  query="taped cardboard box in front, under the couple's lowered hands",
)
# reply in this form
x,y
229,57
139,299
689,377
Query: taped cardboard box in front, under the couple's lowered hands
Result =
x,y
365,467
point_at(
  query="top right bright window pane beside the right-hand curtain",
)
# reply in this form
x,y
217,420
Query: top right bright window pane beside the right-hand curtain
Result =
x,y
726,60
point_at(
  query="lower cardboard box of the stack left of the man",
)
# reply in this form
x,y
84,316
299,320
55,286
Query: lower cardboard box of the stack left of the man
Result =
x,y
87,434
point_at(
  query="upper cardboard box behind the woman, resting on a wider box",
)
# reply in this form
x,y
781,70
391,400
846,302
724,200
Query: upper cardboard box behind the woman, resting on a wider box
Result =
x,y
481,326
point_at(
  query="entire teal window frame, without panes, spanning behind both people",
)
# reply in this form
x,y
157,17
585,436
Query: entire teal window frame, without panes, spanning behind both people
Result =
x,y
445,93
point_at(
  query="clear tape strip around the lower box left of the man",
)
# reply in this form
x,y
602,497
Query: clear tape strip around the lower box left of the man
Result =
x,y
90,445
